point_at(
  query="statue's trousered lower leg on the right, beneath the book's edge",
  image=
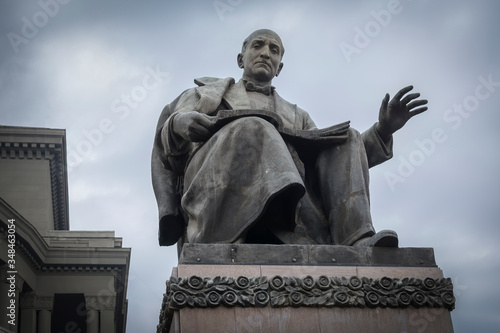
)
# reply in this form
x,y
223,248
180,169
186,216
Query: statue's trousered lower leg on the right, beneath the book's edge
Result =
x,y
343,180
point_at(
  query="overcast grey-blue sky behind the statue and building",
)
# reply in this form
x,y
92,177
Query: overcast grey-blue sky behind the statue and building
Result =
x,y
103,70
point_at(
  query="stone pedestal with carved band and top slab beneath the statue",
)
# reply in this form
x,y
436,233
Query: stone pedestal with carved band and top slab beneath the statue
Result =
x,y
294,288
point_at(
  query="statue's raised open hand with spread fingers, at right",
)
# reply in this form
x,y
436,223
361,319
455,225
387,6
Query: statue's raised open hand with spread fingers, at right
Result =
x,y
395,113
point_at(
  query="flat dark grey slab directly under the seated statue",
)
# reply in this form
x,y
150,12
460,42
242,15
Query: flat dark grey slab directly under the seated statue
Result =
x,y
298,255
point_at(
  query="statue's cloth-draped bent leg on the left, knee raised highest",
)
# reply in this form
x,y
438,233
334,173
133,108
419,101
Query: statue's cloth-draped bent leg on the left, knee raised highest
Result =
x,y
231,179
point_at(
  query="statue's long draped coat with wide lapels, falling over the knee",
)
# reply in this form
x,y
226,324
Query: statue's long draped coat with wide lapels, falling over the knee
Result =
x,y
201,201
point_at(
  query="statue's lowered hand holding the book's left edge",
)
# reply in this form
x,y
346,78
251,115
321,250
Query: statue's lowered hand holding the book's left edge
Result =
x,y
193,126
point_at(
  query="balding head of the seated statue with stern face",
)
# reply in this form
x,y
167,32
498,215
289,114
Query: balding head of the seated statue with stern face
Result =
x,y
261,56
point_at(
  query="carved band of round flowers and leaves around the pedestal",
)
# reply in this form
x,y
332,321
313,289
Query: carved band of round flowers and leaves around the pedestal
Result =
x,y
280,291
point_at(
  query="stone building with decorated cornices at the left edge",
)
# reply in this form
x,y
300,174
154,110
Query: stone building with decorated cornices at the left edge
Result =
x,y
52,279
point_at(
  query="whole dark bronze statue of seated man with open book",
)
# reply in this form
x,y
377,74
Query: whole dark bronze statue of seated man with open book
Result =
x,y
236,163
